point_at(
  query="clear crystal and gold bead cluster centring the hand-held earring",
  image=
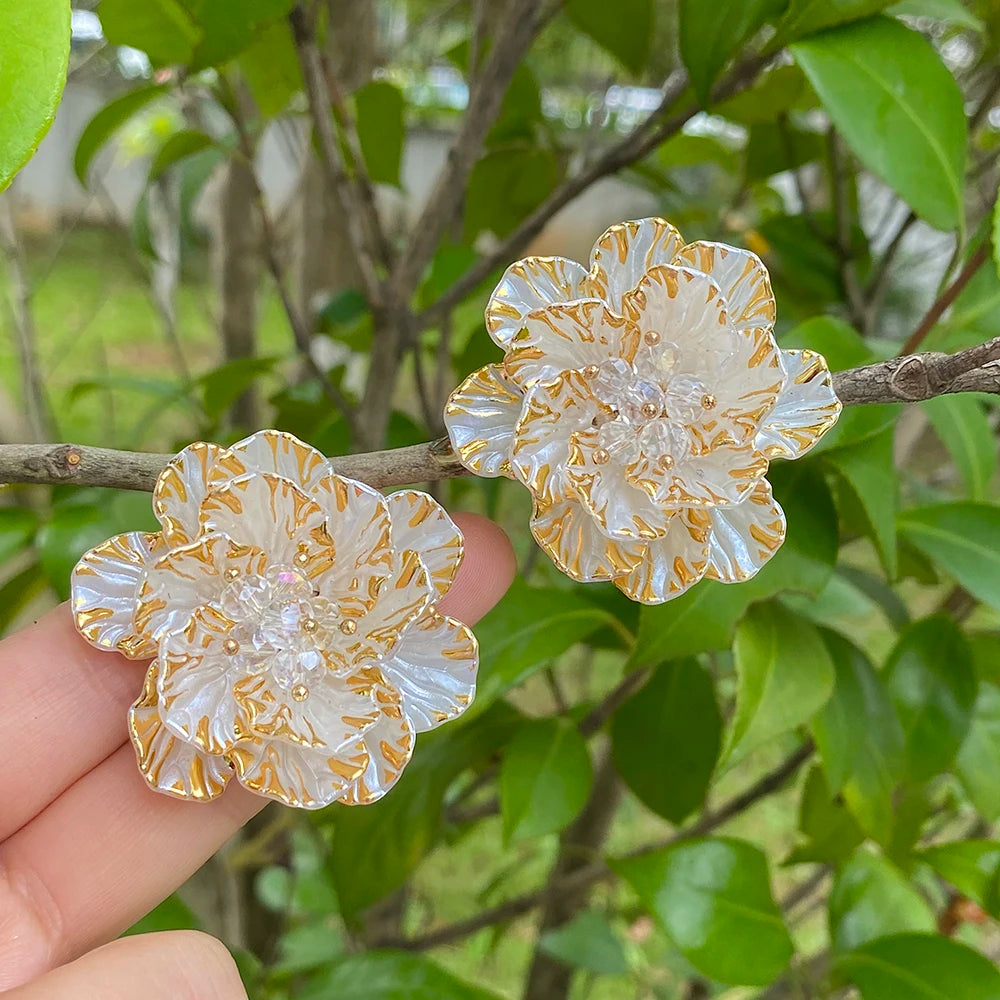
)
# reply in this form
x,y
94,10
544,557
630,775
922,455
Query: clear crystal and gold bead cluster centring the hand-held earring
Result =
x,y
280,620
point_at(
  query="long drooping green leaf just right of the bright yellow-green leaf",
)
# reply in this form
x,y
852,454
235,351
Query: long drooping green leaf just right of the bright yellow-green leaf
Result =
x,y
860,739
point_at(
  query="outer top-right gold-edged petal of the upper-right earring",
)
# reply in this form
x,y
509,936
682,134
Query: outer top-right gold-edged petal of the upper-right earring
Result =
x,y
742,278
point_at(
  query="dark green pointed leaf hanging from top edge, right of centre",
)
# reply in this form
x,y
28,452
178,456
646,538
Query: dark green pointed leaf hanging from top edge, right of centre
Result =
x,y
710,34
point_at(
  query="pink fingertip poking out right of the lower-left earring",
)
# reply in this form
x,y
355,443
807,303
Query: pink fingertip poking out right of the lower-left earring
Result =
x,y
486,572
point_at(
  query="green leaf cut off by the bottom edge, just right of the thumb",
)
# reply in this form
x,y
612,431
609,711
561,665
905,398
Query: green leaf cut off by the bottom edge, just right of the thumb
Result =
x,y
389,975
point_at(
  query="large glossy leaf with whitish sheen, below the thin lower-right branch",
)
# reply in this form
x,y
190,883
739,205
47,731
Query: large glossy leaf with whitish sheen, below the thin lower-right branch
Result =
x,y
713,897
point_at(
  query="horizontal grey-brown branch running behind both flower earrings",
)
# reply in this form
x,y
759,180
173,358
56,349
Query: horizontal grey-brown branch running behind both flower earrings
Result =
x,y
899,380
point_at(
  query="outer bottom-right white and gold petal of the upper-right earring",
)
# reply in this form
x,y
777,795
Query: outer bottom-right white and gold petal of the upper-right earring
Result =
x,y
744,536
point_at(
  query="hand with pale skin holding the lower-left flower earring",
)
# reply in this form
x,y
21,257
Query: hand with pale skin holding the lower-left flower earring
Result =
x,y
86,847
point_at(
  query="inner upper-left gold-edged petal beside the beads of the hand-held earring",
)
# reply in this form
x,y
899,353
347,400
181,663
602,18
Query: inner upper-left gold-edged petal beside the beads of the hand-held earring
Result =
x,y
183,579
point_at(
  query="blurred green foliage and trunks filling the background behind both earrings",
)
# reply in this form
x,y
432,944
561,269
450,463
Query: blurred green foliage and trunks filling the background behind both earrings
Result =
x,y
257,215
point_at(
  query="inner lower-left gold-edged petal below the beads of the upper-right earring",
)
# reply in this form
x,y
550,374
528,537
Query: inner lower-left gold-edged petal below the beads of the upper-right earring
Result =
x,y
624,512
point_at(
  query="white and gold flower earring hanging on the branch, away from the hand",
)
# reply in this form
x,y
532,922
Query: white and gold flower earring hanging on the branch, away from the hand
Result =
x,y
640,402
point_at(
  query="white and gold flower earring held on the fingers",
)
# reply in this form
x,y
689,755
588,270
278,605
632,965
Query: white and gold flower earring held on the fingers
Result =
x,y
290,614
